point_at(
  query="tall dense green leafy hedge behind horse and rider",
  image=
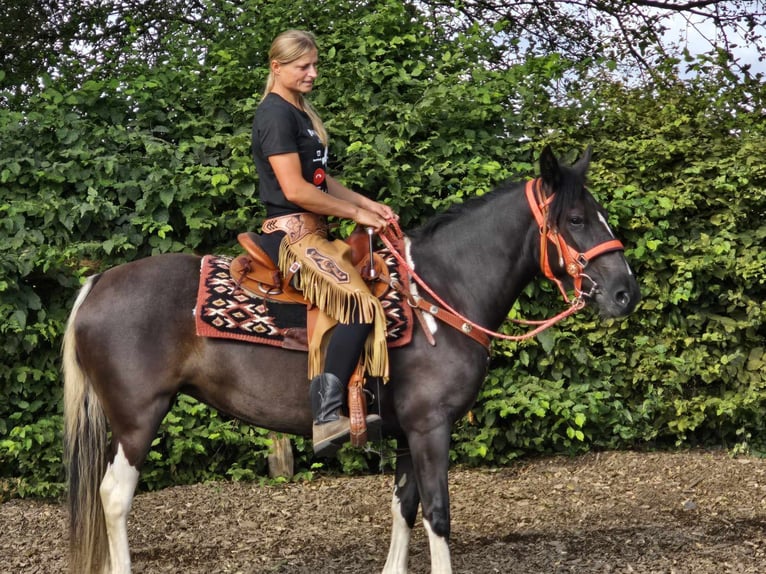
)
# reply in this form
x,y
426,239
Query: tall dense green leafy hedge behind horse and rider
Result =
x,y
139,158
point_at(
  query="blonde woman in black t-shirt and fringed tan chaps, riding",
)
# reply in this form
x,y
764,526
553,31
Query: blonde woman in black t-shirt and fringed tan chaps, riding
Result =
x,y
290,153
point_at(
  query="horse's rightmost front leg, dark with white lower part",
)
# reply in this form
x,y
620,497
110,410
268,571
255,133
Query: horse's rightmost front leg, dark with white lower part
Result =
x,y
430,452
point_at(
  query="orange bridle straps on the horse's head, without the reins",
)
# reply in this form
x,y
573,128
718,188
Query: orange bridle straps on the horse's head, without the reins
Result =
x,y
572,260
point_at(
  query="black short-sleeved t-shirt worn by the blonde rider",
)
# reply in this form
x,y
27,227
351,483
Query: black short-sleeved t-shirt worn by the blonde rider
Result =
x,y
279,127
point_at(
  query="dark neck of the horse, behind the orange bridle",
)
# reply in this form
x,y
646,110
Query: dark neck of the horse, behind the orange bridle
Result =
x,y
480,261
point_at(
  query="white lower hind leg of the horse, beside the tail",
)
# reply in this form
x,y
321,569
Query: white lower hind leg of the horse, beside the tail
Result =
x,y
117,488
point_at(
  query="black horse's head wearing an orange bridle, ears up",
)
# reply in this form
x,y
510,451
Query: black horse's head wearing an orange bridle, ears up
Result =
x,y
582,252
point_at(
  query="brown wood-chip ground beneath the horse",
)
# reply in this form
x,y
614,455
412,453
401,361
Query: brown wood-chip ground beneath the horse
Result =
x,y
616,512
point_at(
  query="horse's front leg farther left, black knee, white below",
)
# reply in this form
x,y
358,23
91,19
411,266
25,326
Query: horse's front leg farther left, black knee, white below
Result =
x,y
404,510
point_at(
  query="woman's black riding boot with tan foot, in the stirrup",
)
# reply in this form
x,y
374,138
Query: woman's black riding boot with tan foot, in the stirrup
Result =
x,y
331,429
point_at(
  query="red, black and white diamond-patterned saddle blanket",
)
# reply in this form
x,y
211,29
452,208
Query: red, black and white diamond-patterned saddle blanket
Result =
x,y
225,310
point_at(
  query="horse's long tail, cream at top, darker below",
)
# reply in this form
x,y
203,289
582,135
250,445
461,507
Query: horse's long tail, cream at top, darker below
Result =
x,y
85,443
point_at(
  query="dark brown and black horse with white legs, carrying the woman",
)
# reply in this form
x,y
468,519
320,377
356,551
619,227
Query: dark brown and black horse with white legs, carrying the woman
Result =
x,y
130,347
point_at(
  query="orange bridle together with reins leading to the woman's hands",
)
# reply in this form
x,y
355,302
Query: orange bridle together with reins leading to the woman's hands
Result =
x,y
573,261
